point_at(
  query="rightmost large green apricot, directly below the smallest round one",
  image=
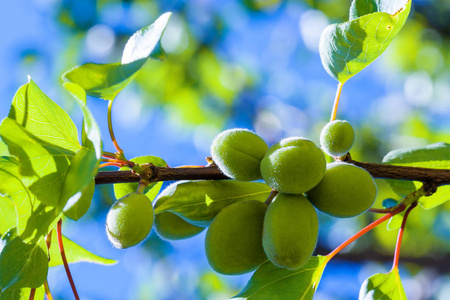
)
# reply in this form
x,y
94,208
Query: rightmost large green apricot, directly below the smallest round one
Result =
x,y
345,191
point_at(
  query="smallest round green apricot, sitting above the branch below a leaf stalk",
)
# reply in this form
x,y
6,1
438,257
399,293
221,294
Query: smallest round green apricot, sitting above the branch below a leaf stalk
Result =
x,y
337,138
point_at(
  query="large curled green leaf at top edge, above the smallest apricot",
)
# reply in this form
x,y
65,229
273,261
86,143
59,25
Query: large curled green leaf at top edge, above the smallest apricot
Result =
x,y
347,48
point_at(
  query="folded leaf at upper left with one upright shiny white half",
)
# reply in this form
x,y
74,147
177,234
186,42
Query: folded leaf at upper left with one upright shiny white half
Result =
x,y
105,81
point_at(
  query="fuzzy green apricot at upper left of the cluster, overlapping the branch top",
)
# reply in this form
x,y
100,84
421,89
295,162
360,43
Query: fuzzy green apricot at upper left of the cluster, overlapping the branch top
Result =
x,y
238,153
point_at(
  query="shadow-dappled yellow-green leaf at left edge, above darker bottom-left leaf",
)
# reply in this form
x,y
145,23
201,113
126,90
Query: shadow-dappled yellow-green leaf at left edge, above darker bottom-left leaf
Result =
x,y
34,219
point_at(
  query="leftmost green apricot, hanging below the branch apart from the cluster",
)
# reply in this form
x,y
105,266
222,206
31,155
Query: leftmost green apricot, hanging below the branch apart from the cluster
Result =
x,y
130,220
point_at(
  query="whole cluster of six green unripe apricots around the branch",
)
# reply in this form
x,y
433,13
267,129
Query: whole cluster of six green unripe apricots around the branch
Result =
x,y
245,234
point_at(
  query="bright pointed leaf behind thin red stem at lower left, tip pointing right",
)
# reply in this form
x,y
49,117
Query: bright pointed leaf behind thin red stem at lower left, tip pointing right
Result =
x,y
74,253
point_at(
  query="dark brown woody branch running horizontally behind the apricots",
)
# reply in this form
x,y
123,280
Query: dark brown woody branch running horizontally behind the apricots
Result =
x,y
434,177
